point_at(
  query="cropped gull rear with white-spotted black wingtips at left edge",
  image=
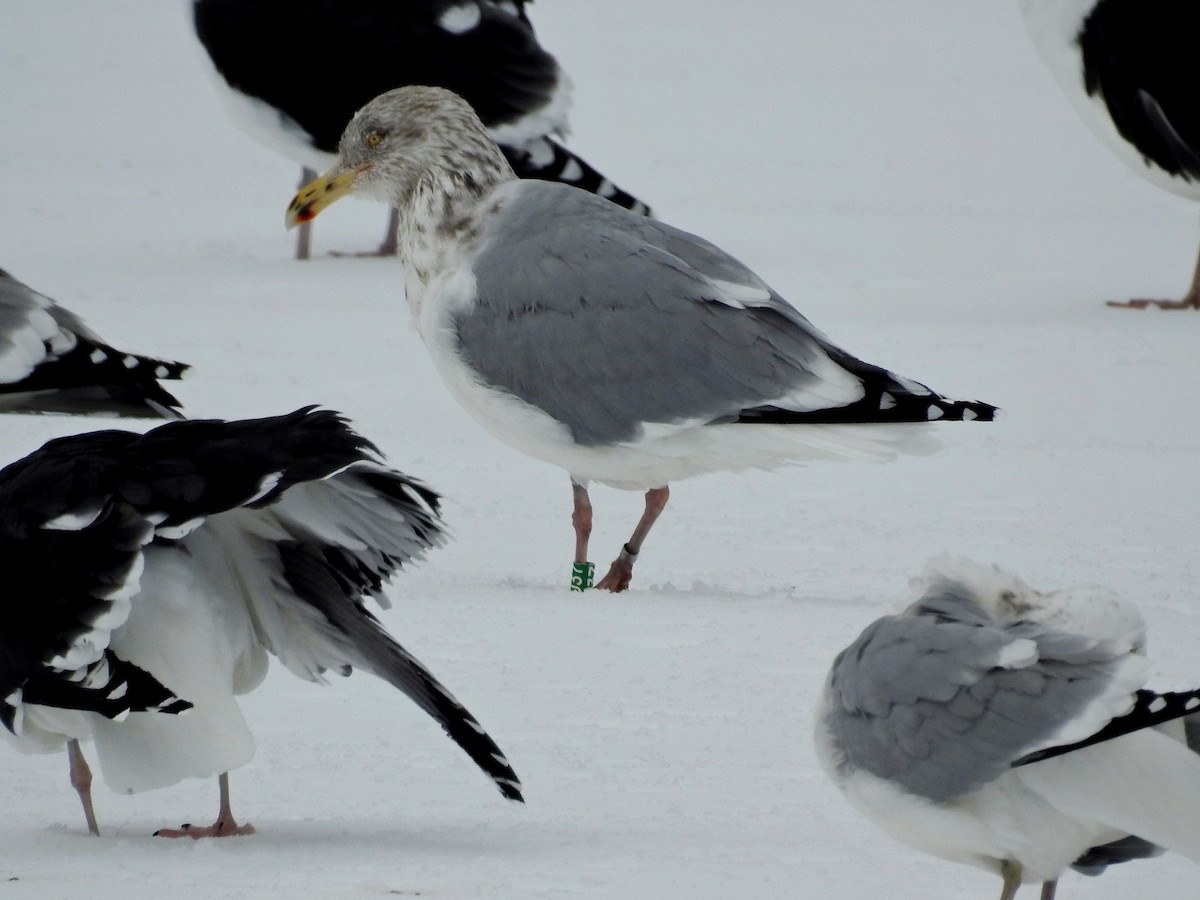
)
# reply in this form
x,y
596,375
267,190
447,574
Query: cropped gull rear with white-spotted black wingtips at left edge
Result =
x,y
52,363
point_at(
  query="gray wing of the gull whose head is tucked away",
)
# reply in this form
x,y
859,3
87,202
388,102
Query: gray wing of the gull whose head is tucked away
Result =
x,y
944,699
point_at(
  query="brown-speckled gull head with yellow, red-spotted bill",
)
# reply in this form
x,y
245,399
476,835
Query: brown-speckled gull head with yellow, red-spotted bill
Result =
x,y
399,141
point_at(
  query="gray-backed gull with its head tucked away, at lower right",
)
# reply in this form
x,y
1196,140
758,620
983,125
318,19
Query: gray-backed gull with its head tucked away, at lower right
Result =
x,y
999,727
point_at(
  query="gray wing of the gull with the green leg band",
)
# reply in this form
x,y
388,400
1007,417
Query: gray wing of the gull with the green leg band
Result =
x,y
608,321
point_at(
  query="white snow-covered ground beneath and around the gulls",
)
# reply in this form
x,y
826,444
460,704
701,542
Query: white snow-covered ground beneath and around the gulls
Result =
x,y
908,175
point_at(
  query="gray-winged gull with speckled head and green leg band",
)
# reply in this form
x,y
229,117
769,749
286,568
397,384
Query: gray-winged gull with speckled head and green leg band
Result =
x,y
620,349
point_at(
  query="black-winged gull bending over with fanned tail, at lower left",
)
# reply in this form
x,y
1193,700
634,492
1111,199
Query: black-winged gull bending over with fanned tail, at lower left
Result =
x,y
151,575
